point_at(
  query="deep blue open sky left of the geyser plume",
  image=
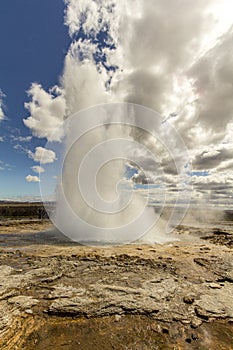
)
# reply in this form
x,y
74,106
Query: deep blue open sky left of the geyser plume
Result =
x,y
34,42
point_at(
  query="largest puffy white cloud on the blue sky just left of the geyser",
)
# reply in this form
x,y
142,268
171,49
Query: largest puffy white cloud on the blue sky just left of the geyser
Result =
x,y
47,110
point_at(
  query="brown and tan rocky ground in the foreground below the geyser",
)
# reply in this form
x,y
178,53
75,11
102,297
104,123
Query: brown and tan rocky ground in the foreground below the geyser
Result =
x,y
55,294
